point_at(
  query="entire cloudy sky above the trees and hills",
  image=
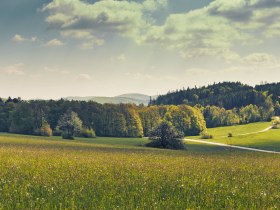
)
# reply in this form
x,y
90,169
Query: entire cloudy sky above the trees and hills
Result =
x,y
58,48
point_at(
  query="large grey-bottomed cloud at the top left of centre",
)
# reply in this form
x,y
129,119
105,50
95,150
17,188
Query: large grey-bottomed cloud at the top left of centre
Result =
x,y
83,20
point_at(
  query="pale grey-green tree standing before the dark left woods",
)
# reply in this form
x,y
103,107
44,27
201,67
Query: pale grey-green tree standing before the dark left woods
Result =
x,y
70,124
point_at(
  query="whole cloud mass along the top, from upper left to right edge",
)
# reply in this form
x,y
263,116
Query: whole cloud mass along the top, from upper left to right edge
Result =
x,y
213,31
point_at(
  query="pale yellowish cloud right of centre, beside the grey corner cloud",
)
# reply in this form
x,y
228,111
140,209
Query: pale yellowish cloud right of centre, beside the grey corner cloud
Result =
x,y
196,34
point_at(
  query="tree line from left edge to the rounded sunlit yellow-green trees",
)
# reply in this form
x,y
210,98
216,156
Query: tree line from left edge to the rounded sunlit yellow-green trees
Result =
x,y
41,117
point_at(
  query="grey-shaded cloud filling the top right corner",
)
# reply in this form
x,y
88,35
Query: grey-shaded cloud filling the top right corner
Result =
x,y
257,16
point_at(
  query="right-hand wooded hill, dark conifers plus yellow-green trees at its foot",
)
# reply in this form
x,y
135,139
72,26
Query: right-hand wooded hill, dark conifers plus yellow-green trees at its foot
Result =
x,y
229,103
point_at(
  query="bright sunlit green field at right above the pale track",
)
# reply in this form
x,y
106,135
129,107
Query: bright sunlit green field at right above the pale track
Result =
x,y
269,140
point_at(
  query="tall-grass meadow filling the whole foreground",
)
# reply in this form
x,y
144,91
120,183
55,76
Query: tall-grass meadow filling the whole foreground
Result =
x,y
37,173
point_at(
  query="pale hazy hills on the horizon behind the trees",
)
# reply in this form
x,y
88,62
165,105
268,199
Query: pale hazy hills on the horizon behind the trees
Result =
x,y
135,98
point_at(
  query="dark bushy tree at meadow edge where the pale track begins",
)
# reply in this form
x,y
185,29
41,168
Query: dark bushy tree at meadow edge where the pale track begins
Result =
x,y
166,136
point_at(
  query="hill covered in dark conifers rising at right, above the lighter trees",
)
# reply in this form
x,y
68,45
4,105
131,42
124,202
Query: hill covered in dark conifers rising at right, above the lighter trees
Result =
x,y
228,95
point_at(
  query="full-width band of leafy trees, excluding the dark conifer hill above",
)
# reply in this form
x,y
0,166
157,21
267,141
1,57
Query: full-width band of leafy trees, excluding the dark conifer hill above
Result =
x,y
122,120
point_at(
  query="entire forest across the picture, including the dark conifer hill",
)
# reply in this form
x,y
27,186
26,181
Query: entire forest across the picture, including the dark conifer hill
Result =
x,y
190,111
